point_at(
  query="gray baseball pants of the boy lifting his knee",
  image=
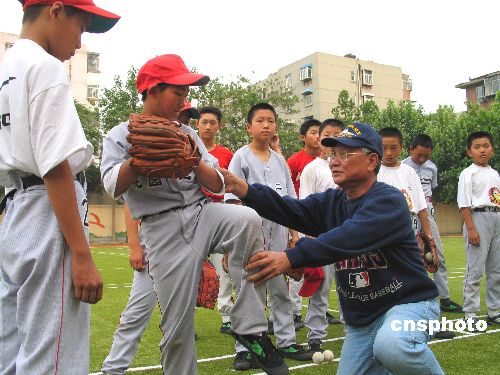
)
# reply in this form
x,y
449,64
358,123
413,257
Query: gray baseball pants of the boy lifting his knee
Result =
x,y
177,243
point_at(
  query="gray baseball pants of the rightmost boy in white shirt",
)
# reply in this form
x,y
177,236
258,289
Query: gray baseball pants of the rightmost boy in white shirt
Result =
x,y
481,259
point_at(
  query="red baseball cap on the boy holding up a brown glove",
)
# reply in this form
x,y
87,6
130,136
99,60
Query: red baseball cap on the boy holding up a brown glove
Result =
x,y
167,69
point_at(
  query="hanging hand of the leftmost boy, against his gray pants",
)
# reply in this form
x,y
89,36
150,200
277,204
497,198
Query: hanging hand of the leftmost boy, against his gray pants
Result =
x,y
86,279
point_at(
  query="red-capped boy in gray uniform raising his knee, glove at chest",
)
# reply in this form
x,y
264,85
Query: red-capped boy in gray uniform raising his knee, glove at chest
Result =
x,y
180,227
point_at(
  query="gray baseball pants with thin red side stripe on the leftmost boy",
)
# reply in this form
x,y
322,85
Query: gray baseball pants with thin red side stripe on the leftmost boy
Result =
x,y
43,328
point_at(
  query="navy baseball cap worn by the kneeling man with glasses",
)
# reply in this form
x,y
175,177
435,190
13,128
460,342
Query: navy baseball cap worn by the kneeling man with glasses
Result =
x,y
357,135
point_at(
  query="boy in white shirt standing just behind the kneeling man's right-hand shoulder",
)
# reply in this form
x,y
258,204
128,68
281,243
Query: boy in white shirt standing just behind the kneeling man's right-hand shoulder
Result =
x,y
404,178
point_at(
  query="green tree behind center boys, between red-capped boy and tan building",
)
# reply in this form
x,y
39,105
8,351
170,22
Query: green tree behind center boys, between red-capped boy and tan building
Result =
x,y
235,98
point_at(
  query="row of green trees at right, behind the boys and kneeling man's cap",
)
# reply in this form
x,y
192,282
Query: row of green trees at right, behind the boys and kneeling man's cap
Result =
x,y
448,130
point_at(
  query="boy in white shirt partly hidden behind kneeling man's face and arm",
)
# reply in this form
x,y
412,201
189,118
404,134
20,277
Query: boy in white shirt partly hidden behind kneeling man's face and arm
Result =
x,y
317,178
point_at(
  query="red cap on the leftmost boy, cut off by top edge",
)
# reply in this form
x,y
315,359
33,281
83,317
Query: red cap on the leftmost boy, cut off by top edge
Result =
x,y
101,22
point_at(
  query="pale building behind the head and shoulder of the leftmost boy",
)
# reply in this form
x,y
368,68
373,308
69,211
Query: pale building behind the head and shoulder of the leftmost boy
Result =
x,y
83,70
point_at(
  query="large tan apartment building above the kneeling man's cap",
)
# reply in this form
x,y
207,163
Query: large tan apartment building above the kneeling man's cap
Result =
x,y
318,79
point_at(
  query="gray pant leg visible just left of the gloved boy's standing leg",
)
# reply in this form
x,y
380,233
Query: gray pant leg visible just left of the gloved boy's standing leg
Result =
x,y
133,322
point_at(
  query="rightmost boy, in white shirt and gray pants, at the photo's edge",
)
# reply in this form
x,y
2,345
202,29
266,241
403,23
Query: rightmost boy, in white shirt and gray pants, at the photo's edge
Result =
x,y
479,203
